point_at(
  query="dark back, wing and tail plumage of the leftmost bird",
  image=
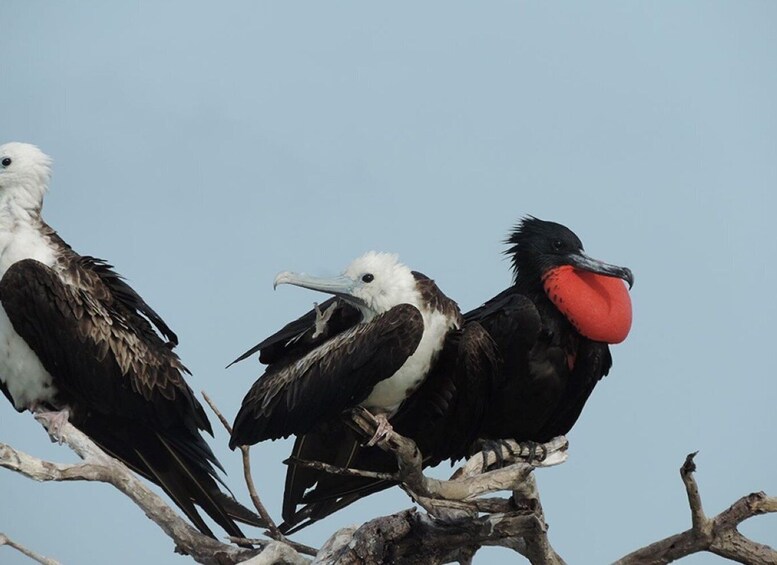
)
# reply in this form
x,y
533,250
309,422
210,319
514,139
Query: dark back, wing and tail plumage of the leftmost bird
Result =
x,y
122,383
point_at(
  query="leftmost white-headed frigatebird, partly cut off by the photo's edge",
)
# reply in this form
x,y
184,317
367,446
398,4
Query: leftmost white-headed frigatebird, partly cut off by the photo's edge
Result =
x,y
78,343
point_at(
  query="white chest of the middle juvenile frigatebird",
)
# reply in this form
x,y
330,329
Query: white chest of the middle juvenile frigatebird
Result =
x,y
388,394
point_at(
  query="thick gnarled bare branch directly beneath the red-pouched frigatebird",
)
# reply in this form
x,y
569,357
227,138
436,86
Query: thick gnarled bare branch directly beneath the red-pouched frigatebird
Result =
x,y
454,529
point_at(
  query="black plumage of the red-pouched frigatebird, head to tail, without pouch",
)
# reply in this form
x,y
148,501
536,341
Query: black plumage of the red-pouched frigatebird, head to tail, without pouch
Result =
x,y
541,372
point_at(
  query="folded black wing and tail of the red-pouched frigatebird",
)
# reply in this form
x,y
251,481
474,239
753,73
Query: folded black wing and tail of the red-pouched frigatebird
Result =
x,y
443,417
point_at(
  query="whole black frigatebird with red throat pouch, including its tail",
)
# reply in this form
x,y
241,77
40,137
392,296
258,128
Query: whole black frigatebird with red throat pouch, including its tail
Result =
x,y
551,328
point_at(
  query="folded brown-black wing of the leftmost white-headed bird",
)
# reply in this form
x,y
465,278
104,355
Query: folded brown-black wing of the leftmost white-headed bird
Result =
x,y
99,352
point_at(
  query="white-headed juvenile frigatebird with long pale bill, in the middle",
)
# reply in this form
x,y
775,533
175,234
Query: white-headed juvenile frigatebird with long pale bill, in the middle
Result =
x,y
371,346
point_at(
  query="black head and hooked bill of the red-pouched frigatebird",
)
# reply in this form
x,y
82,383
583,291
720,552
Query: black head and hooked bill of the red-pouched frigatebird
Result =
x,y
539,246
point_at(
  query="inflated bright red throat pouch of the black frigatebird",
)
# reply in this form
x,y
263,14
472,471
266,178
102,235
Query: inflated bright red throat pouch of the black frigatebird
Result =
x,y
599,307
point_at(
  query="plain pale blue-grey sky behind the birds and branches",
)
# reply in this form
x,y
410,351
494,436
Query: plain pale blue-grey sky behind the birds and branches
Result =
x,y
202,147
